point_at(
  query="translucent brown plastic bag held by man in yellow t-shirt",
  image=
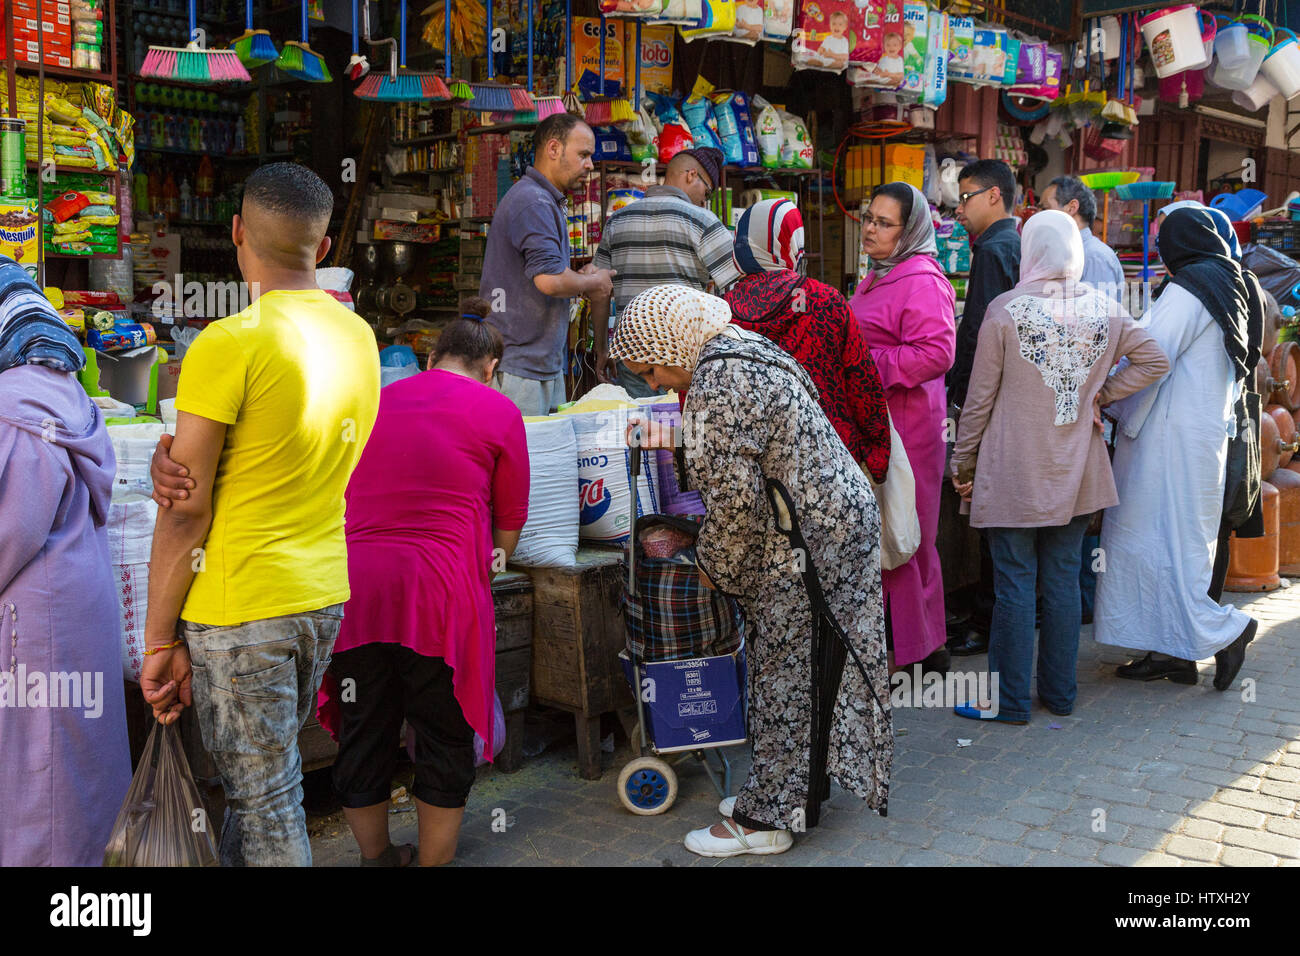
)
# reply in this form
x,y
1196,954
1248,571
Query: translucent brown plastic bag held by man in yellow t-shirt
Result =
x,y
163,821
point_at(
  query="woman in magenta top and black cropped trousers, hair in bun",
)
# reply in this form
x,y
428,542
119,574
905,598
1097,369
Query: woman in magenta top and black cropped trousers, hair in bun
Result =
x,y
436,504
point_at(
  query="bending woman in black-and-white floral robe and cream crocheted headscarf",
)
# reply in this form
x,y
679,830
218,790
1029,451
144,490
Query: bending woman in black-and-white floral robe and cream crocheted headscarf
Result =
x,y
794,534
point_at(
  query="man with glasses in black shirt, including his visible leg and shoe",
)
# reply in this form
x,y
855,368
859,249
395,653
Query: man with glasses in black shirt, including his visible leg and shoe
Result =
x,y
987,193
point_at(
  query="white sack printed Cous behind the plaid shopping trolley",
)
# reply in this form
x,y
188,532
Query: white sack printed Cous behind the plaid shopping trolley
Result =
x,y
605,478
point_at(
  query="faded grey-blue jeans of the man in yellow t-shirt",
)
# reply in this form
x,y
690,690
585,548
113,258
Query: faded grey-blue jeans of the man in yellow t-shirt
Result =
x,y
254,689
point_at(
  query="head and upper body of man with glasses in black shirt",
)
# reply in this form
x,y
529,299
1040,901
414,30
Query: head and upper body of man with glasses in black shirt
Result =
x,y
987,196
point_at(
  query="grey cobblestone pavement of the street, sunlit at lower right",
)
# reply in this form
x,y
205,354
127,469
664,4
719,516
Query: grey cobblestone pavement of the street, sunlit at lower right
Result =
x,y
1141,775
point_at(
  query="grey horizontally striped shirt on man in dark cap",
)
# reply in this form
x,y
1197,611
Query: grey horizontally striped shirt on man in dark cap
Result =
x,y
666,239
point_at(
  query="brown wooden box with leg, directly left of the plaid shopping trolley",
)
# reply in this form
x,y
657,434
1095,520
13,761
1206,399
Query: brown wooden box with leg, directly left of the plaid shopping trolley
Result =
x,y
578,635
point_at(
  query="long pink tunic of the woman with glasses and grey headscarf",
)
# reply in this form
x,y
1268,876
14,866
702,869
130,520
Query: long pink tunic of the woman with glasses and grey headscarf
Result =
x,y
908,322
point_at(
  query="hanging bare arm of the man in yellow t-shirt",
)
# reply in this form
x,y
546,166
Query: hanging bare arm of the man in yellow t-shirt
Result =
x,y
179,538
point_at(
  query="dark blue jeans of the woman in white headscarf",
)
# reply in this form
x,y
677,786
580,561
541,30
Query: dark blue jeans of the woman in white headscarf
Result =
x,y
1025,559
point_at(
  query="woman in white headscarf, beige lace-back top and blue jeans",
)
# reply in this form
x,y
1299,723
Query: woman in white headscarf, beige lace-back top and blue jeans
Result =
x,y
1032,457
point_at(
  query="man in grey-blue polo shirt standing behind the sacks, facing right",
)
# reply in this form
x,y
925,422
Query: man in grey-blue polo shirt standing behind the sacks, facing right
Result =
x,y
527,278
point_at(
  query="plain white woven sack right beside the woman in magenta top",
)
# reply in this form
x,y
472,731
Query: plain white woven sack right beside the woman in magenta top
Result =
x,y
551,535
